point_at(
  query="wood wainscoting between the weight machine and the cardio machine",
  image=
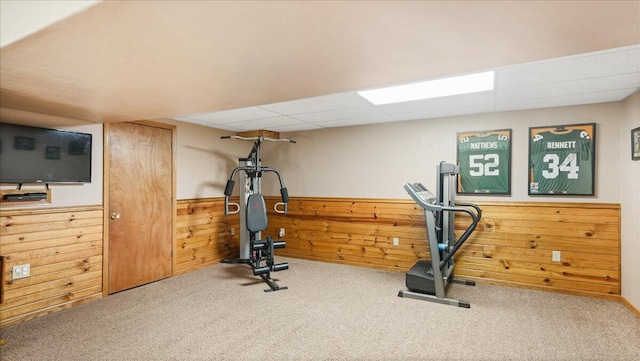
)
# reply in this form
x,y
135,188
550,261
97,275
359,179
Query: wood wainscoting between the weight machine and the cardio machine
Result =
x,y
357,232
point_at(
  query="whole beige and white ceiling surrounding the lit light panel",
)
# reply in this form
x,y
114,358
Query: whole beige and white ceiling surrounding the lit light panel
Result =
x,y
298,65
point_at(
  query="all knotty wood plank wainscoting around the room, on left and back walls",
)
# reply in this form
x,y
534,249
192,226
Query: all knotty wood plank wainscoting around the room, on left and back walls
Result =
x,y
511,246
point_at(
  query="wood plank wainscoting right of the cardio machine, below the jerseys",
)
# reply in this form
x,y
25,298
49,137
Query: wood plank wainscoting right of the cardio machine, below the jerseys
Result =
x,y
516,240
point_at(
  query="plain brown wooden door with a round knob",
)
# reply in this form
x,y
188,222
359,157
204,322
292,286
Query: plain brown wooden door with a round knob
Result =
x,y
140,205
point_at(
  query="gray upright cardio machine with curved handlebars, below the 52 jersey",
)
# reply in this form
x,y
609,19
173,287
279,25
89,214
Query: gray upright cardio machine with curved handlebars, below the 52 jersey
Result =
x,y
427,280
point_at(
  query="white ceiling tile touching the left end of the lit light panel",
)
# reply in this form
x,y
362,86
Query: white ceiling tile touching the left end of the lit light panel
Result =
x,y
318,104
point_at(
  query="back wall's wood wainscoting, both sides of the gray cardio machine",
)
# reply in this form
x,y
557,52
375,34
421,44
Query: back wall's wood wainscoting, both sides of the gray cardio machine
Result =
x,y
512,244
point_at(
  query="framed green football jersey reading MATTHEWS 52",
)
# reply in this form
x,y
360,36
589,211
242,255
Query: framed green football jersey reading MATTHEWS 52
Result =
x,y
484,158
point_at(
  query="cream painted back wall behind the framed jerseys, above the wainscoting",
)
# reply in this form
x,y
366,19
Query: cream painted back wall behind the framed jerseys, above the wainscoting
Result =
x,y
375,161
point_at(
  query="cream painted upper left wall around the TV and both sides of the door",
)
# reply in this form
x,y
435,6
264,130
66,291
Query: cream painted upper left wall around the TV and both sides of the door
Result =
x,y
204,161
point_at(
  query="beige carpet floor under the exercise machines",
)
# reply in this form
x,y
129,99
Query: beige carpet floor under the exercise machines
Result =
x,y
329,312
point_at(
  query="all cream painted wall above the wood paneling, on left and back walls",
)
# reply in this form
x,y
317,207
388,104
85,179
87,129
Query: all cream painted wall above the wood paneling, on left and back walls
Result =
x,y
372,161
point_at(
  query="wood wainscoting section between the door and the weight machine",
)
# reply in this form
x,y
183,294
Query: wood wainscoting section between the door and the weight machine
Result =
x,y
204,234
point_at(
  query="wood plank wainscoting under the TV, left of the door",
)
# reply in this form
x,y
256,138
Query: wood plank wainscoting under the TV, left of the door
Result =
x,y
63,247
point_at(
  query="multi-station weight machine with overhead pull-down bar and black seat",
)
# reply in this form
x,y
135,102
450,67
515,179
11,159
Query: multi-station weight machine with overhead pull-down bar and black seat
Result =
x,y
255,251
